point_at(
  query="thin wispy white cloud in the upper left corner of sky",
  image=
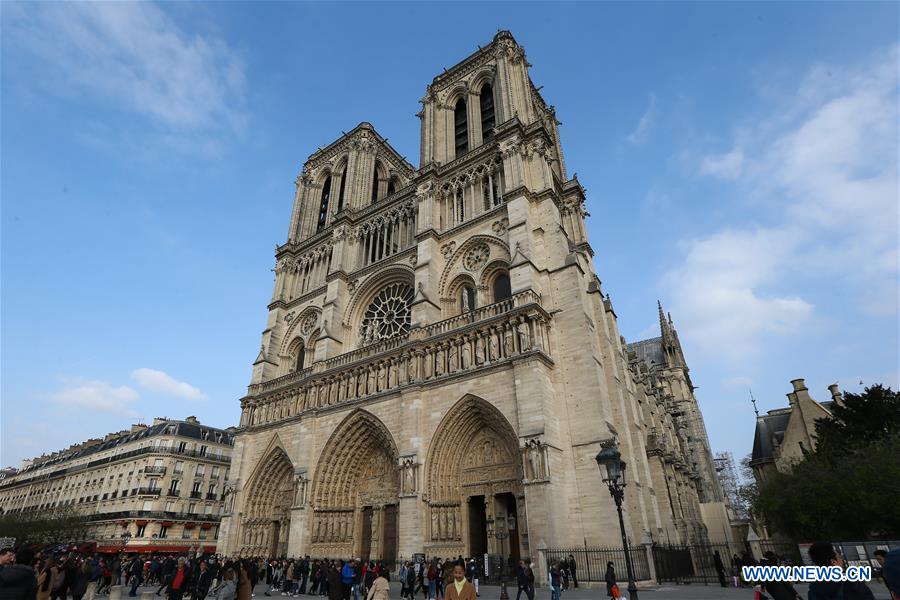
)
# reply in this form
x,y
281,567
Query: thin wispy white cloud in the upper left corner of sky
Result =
x,y
134,57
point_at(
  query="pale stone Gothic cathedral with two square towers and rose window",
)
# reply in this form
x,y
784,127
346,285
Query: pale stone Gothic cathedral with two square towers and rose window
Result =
x,y
440,355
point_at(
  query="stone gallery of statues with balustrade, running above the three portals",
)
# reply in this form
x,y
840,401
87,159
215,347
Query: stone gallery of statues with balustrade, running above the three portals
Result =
x,y
486,337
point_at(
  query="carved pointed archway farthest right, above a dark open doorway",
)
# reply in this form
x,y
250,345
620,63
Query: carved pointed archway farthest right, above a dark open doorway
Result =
x,y
474,456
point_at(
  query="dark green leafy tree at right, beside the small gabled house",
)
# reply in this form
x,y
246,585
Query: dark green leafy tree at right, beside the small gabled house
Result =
x,y
848,488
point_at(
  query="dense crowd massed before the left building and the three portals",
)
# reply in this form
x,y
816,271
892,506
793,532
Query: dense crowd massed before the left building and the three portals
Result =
x,y
25,575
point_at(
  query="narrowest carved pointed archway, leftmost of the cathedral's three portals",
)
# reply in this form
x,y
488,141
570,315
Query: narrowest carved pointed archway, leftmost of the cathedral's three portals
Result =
x,y
270,494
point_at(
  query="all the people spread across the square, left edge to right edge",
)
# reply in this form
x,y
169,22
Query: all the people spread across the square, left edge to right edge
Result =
x,y
25,575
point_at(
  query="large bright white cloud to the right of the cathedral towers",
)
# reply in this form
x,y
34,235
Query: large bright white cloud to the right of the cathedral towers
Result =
x,y
824,169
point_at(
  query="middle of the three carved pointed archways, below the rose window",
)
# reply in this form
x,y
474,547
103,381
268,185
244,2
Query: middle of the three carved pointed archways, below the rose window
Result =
x,y
355,491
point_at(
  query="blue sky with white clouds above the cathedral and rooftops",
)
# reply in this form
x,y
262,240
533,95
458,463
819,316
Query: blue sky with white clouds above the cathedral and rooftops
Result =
x,y
740,161
